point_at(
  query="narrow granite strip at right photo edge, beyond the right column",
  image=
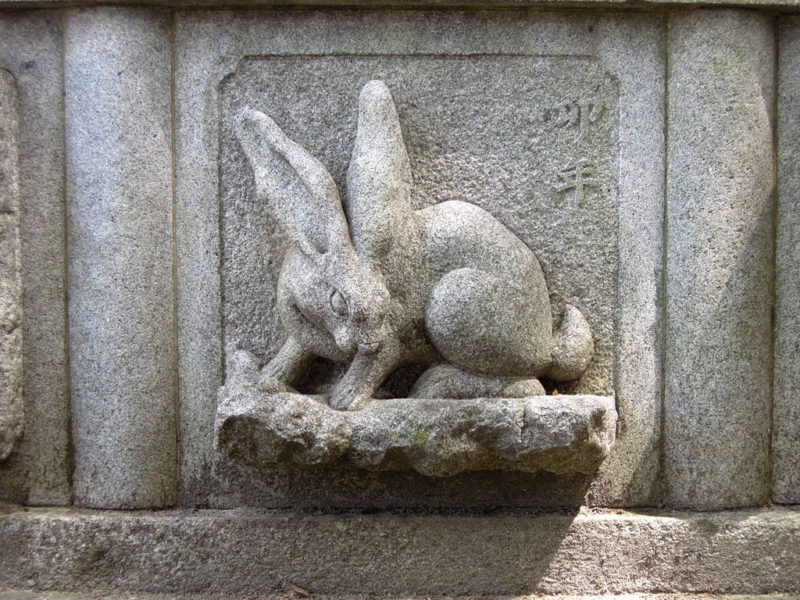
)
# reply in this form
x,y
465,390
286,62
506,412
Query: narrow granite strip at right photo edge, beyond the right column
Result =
x,y
786,409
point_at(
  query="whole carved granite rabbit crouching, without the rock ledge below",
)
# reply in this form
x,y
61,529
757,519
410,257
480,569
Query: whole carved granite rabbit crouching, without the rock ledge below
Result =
x,y
448,286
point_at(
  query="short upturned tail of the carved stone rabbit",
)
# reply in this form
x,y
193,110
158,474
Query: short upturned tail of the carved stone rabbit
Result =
x,y
573,348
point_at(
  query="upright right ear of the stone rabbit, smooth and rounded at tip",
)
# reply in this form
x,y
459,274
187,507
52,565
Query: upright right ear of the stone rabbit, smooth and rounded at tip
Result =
x,y
379,177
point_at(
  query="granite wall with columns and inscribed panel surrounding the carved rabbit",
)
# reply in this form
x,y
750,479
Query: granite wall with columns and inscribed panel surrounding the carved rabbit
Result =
x,y
647,154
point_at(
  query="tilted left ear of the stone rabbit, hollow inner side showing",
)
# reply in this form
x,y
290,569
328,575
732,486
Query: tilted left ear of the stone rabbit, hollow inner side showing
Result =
x,y
302,195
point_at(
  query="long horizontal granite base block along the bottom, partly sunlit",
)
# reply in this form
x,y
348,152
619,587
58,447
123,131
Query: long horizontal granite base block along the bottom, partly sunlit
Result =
x,y
249,552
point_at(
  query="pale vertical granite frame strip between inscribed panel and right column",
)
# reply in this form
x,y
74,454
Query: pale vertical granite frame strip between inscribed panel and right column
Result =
x,y
634,50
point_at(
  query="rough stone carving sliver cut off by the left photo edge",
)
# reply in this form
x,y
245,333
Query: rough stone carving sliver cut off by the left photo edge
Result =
x,y
11,401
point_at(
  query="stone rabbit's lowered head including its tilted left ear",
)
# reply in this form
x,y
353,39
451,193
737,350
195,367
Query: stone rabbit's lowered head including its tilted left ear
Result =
x,y
332,303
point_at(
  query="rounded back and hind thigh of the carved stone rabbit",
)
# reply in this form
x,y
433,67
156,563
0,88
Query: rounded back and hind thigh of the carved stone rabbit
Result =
x,y
488,310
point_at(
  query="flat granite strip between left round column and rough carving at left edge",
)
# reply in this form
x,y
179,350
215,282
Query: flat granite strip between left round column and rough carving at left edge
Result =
x,y
38,472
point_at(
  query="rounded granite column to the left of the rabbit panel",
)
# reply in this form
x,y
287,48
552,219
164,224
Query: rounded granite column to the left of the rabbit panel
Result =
x,y
119,203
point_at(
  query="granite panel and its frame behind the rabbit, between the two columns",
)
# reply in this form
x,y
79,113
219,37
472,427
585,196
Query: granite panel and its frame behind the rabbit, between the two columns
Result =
x,y
445,163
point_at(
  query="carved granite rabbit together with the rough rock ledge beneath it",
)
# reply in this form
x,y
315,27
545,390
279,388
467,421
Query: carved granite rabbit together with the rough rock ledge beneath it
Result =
x,y
370,282
